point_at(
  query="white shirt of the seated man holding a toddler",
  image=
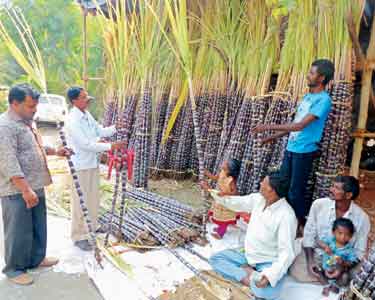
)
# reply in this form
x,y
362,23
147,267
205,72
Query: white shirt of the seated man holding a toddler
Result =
x,y
320,220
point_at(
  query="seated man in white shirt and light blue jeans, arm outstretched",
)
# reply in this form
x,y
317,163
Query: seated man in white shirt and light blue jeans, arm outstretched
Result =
x,y
269,243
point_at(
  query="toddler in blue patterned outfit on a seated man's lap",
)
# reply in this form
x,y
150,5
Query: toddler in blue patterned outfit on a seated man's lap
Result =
x,y
339,255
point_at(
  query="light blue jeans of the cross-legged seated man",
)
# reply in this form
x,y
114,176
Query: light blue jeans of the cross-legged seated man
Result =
x,y
228,264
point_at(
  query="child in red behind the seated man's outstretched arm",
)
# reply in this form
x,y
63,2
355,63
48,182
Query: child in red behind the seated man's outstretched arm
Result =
x,y
226,184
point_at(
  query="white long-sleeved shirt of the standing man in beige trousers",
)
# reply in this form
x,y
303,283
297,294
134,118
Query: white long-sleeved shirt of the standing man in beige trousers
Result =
x,y
83,133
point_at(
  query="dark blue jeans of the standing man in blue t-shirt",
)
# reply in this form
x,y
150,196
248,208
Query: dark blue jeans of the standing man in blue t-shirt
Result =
x,y
297,167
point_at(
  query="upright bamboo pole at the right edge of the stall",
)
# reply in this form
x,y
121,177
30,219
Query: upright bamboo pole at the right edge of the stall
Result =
x,y
365,99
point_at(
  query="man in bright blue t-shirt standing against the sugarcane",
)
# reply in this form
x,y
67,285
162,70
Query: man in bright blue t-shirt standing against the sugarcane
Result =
x,y
305,134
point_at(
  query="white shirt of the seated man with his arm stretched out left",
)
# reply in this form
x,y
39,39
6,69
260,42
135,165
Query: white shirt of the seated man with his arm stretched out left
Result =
x,y
270,234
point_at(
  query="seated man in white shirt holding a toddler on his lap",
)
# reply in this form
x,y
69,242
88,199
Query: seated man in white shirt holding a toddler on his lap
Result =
x,y
323,213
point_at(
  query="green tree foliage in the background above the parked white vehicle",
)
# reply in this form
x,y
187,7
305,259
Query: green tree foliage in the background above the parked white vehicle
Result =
x,y
57,29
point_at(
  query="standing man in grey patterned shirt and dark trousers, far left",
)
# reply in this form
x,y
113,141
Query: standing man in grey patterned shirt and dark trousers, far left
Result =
x,y
23,176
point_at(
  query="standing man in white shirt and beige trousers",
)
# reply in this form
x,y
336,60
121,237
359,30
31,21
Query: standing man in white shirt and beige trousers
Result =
x,y
84,137
